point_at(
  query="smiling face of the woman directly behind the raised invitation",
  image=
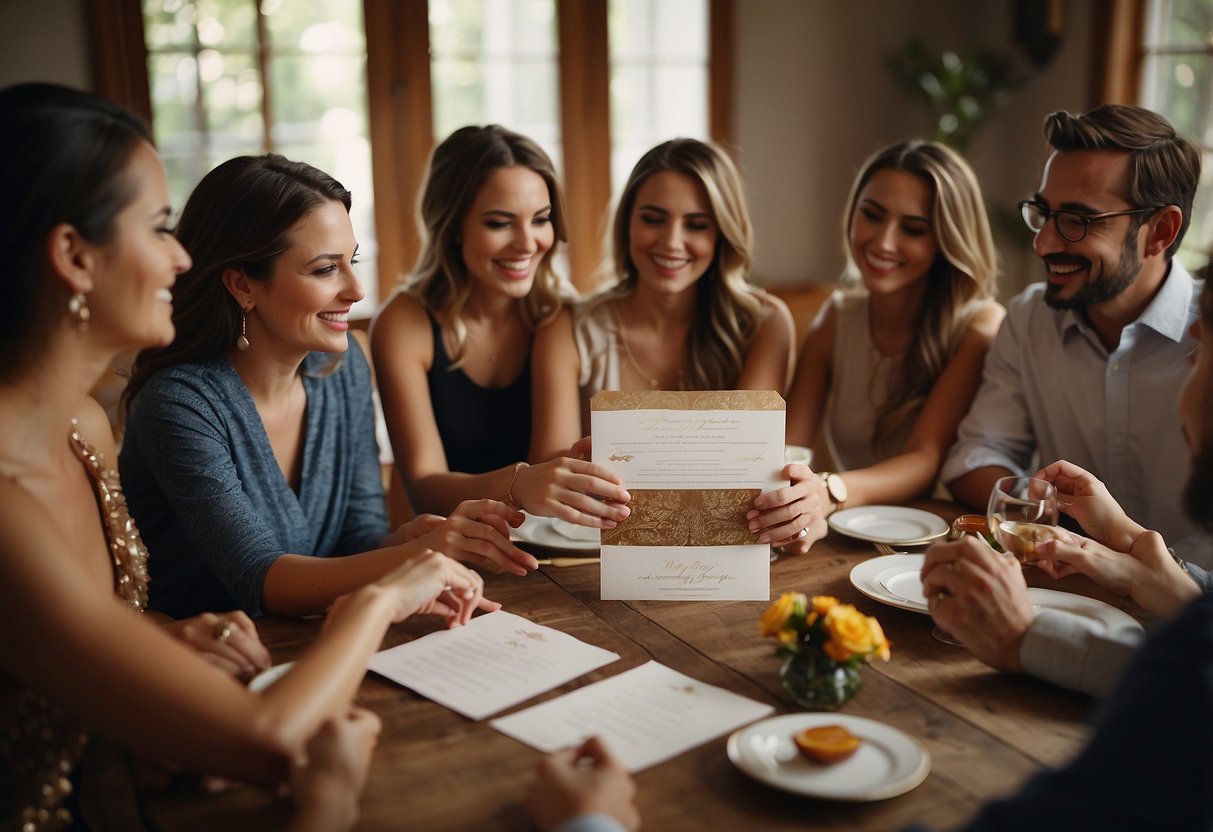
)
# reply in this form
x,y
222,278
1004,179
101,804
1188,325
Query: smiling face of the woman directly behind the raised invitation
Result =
x,y
673,233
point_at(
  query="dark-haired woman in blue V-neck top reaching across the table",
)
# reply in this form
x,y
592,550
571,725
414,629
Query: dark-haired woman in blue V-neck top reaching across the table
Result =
x,y
249,449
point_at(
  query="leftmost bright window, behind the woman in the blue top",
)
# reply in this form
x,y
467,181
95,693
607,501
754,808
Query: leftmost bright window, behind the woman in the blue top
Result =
x,y
240,77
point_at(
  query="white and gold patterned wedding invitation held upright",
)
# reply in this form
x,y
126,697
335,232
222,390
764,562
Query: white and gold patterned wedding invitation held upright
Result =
x,y
693,463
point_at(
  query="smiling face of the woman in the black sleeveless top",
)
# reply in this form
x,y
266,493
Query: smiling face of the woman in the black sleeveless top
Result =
x,y
508,231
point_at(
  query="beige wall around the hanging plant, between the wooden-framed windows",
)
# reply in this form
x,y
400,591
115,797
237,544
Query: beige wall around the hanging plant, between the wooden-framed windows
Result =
x,y
815,100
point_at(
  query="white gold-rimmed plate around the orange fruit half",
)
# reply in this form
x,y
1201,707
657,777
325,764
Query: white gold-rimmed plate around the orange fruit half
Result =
x,y
889,763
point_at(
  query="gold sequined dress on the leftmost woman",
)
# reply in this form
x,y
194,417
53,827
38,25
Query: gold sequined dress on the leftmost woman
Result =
x,y
39,744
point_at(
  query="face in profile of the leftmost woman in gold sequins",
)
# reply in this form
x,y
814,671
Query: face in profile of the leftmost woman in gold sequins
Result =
x,y
132,299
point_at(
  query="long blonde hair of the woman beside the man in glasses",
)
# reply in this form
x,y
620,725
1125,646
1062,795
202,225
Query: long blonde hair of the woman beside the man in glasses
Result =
x,y
964,275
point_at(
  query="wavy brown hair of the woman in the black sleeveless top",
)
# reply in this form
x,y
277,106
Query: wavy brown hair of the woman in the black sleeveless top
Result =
x,y
459,168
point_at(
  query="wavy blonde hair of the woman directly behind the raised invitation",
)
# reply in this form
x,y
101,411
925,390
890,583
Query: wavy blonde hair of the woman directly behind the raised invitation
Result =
x,y
728,309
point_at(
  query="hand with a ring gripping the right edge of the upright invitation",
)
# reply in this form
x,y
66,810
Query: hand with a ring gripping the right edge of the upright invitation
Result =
x,y
793,518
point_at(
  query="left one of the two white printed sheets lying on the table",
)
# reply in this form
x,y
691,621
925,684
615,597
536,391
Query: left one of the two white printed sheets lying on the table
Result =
x,y
494,663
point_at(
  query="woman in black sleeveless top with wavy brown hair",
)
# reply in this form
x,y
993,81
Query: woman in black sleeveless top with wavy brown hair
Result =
x,y
453,350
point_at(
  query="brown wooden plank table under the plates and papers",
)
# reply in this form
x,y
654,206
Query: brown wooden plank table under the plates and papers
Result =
x,y
434,770
